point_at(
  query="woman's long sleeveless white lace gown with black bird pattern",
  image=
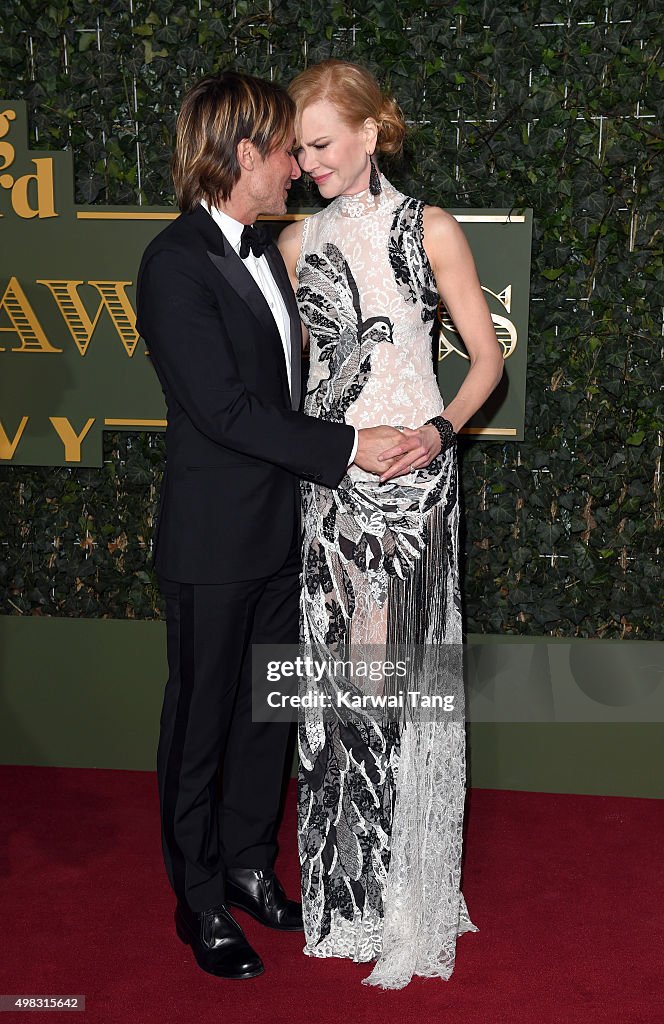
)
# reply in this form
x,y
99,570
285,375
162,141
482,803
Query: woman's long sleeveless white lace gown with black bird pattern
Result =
x,y
381,802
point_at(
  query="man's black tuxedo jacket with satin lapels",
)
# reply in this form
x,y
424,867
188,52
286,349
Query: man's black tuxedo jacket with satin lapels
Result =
x,y
235,445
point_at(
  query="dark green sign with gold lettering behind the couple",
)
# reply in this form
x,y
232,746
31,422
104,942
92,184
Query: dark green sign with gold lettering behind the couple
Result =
x,y
73,364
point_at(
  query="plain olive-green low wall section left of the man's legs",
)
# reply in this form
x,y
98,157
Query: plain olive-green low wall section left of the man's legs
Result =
x,y
80,693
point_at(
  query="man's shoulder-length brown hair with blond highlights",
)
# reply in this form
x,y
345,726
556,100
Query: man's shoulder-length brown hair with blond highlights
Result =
x,y
218,113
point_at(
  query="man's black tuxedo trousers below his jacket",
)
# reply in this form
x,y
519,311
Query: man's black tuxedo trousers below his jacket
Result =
x,y
221,775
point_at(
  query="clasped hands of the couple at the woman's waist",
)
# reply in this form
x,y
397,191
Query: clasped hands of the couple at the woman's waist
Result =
x,y
388,452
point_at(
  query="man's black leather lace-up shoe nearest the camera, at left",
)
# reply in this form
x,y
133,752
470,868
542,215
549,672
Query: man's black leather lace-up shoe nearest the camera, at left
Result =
x,y
219,943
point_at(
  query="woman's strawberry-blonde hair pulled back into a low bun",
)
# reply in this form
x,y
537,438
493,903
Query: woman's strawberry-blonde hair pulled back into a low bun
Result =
x,y
356,95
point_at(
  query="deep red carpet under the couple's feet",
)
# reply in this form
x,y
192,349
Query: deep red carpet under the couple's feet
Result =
x,y
568,893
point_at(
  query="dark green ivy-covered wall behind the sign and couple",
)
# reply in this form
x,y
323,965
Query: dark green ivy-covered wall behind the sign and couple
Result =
x,y
552,106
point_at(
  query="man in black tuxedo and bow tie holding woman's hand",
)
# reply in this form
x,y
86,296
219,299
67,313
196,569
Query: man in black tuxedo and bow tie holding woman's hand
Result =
x,y
221,322
